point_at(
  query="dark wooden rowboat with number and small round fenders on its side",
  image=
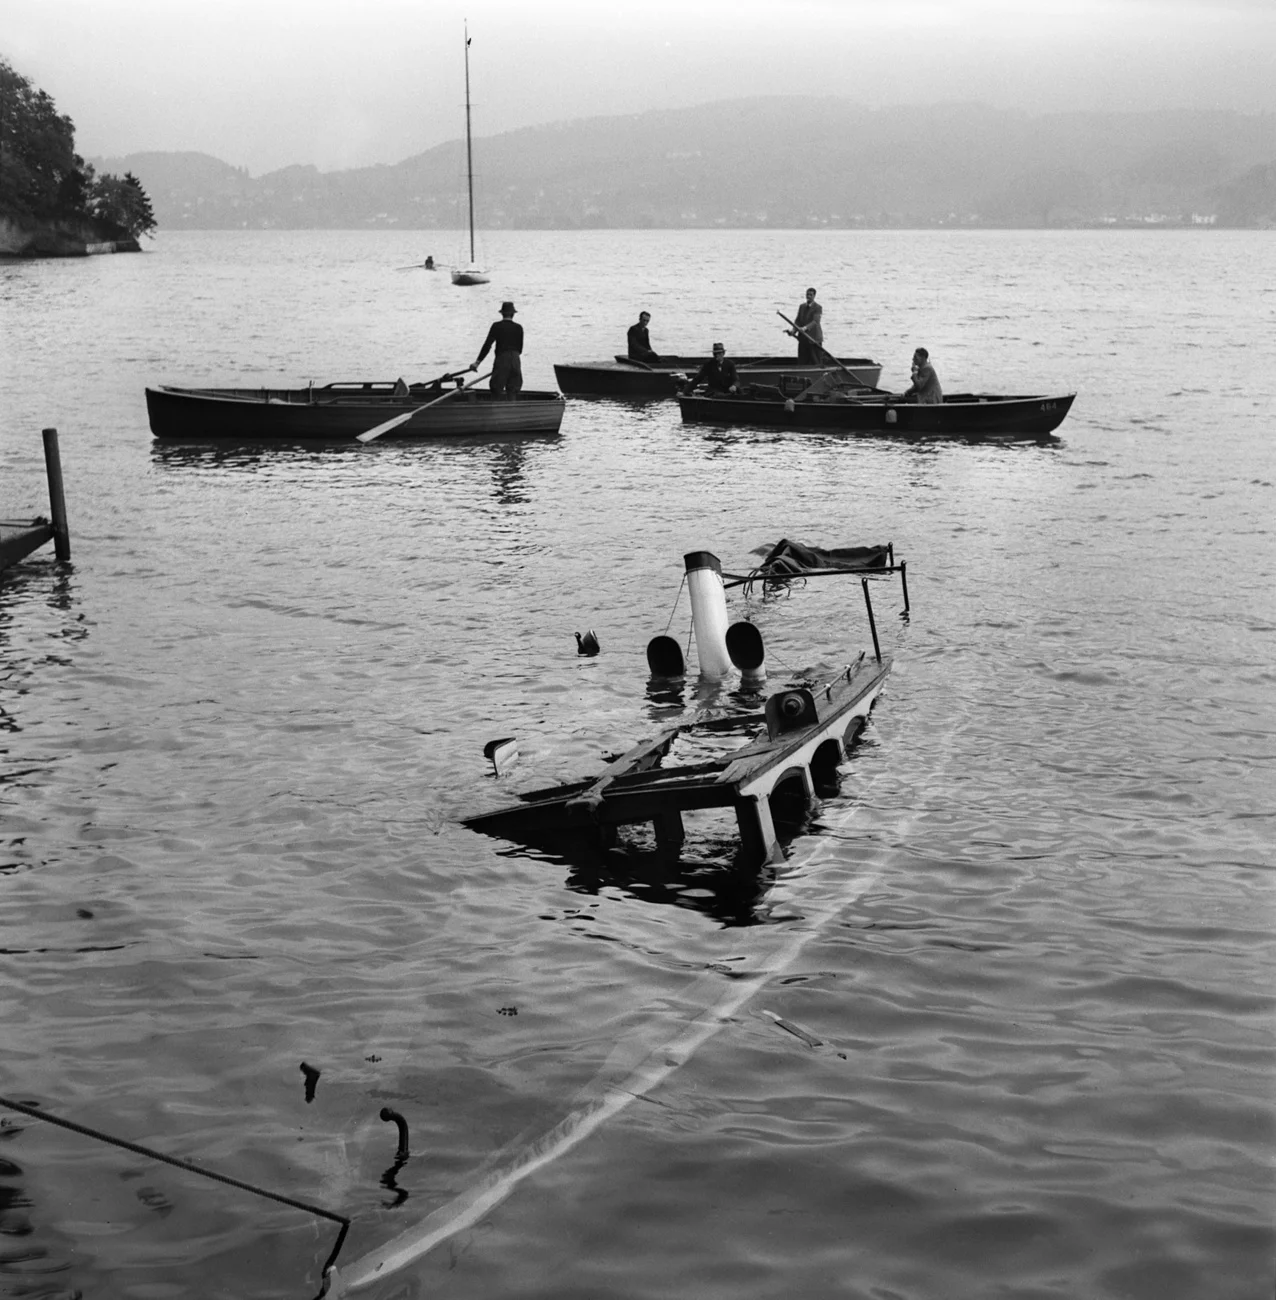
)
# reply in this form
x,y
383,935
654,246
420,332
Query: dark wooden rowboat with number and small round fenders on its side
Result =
x,y
963,415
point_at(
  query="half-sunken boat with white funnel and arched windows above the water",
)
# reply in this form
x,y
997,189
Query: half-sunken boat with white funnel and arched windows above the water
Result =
x,y
766,761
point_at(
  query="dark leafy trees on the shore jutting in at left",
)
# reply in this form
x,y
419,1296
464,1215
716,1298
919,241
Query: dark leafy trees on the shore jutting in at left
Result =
x,y
44,179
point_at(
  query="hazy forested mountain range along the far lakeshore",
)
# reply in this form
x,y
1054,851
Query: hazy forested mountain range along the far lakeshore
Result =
x,y
788,163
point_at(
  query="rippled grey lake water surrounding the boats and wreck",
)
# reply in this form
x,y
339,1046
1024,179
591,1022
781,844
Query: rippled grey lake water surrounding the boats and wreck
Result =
x,y
1030,947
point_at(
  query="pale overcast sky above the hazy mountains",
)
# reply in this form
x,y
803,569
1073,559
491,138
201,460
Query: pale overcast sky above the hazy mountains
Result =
x,y
263,84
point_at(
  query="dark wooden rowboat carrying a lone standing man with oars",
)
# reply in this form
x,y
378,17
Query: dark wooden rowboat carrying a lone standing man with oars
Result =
x,y
346,410
